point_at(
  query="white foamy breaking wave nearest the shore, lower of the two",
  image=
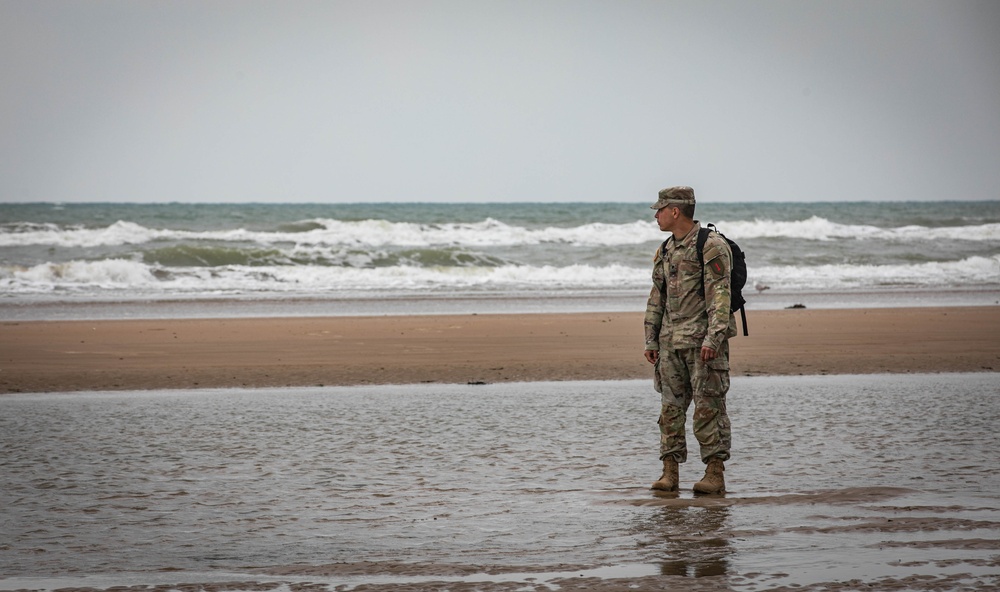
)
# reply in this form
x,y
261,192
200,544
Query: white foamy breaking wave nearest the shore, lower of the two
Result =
x,y
120,274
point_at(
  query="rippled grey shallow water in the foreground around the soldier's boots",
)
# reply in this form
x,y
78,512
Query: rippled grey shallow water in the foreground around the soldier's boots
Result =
x,y
872,479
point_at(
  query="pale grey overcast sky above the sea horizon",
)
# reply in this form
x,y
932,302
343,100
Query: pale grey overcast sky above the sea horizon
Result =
x,y
478,100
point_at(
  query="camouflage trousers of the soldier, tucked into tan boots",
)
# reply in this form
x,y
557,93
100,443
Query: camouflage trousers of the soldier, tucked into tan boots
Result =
x,y
681,377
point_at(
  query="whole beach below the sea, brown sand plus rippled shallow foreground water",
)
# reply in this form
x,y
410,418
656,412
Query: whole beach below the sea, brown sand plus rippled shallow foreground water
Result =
x,y
393,486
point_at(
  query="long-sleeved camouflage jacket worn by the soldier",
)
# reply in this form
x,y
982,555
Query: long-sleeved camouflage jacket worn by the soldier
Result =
x,y
678,315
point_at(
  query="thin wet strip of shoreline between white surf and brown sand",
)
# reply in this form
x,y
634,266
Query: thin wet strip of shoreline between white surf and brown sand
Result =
x,y
461,303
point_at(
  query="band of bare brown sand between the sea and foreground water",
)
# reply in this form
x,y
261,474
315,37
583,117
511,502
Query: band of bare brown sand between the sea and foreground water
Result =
x,y
58,356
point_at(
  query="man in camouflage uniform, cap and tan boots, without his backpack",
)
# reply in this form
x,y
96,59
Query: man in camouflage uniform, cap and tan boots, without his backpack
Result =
x,y
688,324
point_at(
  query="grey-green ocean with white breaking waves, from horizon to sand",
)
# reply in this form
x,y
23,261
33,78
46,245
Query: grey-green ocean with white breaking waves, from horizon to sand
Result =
x,y
143,259
